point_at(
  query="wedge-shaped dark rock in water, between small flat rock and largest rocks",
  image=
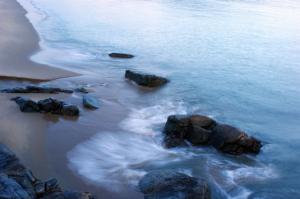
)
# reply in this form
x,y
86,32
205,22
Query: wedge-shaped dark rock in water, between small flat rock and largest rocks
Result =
x,y
145,80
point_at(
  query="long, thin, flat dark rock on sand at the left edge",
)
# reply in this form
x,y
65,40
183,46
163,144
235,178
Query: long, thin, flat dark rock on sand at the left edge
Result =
x,y
36,89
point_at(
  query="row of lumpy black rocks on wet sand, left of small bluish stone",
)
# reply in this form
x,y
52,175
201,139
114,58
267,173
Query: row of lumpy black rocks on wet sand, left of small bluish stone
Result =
x,y
48,105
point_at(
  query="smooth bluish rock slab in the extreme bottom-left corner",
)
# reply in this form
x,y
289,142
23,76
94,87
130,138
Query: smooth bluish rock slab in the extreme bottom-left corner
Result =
x,y
10,189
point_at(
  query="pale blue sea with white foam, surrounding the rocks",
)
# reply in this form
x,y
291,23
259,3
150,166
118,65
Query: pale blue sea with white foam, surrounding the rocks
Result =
x,y
236,61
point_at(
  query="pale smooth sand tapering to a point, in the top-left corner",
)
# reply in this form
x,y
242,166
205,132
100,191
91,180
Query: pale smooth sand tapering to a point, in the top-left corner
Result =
x,y
18,41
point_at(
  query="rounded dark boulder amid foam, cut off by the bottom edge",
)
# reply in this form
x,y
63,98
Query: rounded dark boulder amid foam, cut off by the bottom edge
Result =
x,y
168,184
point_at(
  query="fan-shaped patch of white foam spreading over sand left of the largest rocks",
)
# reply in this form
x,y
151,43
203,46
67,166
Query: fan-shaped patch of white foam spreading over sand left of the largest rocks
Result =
x,y
112,159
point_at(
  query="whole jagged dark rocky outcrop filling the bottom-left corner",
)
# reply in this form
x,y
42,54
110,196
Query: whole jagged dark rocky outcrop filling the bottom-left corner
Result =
x,y
18,182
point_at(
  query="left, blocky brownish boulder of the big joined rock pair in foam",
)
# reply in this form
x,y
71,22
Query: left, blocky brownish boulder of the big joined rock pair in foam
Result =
x,y
194,128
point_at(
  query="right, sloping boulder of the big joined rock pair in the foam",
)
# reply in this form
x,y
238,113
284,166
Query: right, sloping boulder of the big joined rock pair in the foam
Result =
x,y
229,139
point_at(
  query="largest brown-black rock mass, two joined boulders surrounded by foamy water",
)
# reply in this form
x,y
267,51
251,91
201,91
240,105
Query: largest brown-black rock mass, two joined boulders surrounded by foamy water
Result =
x,y
200,130
